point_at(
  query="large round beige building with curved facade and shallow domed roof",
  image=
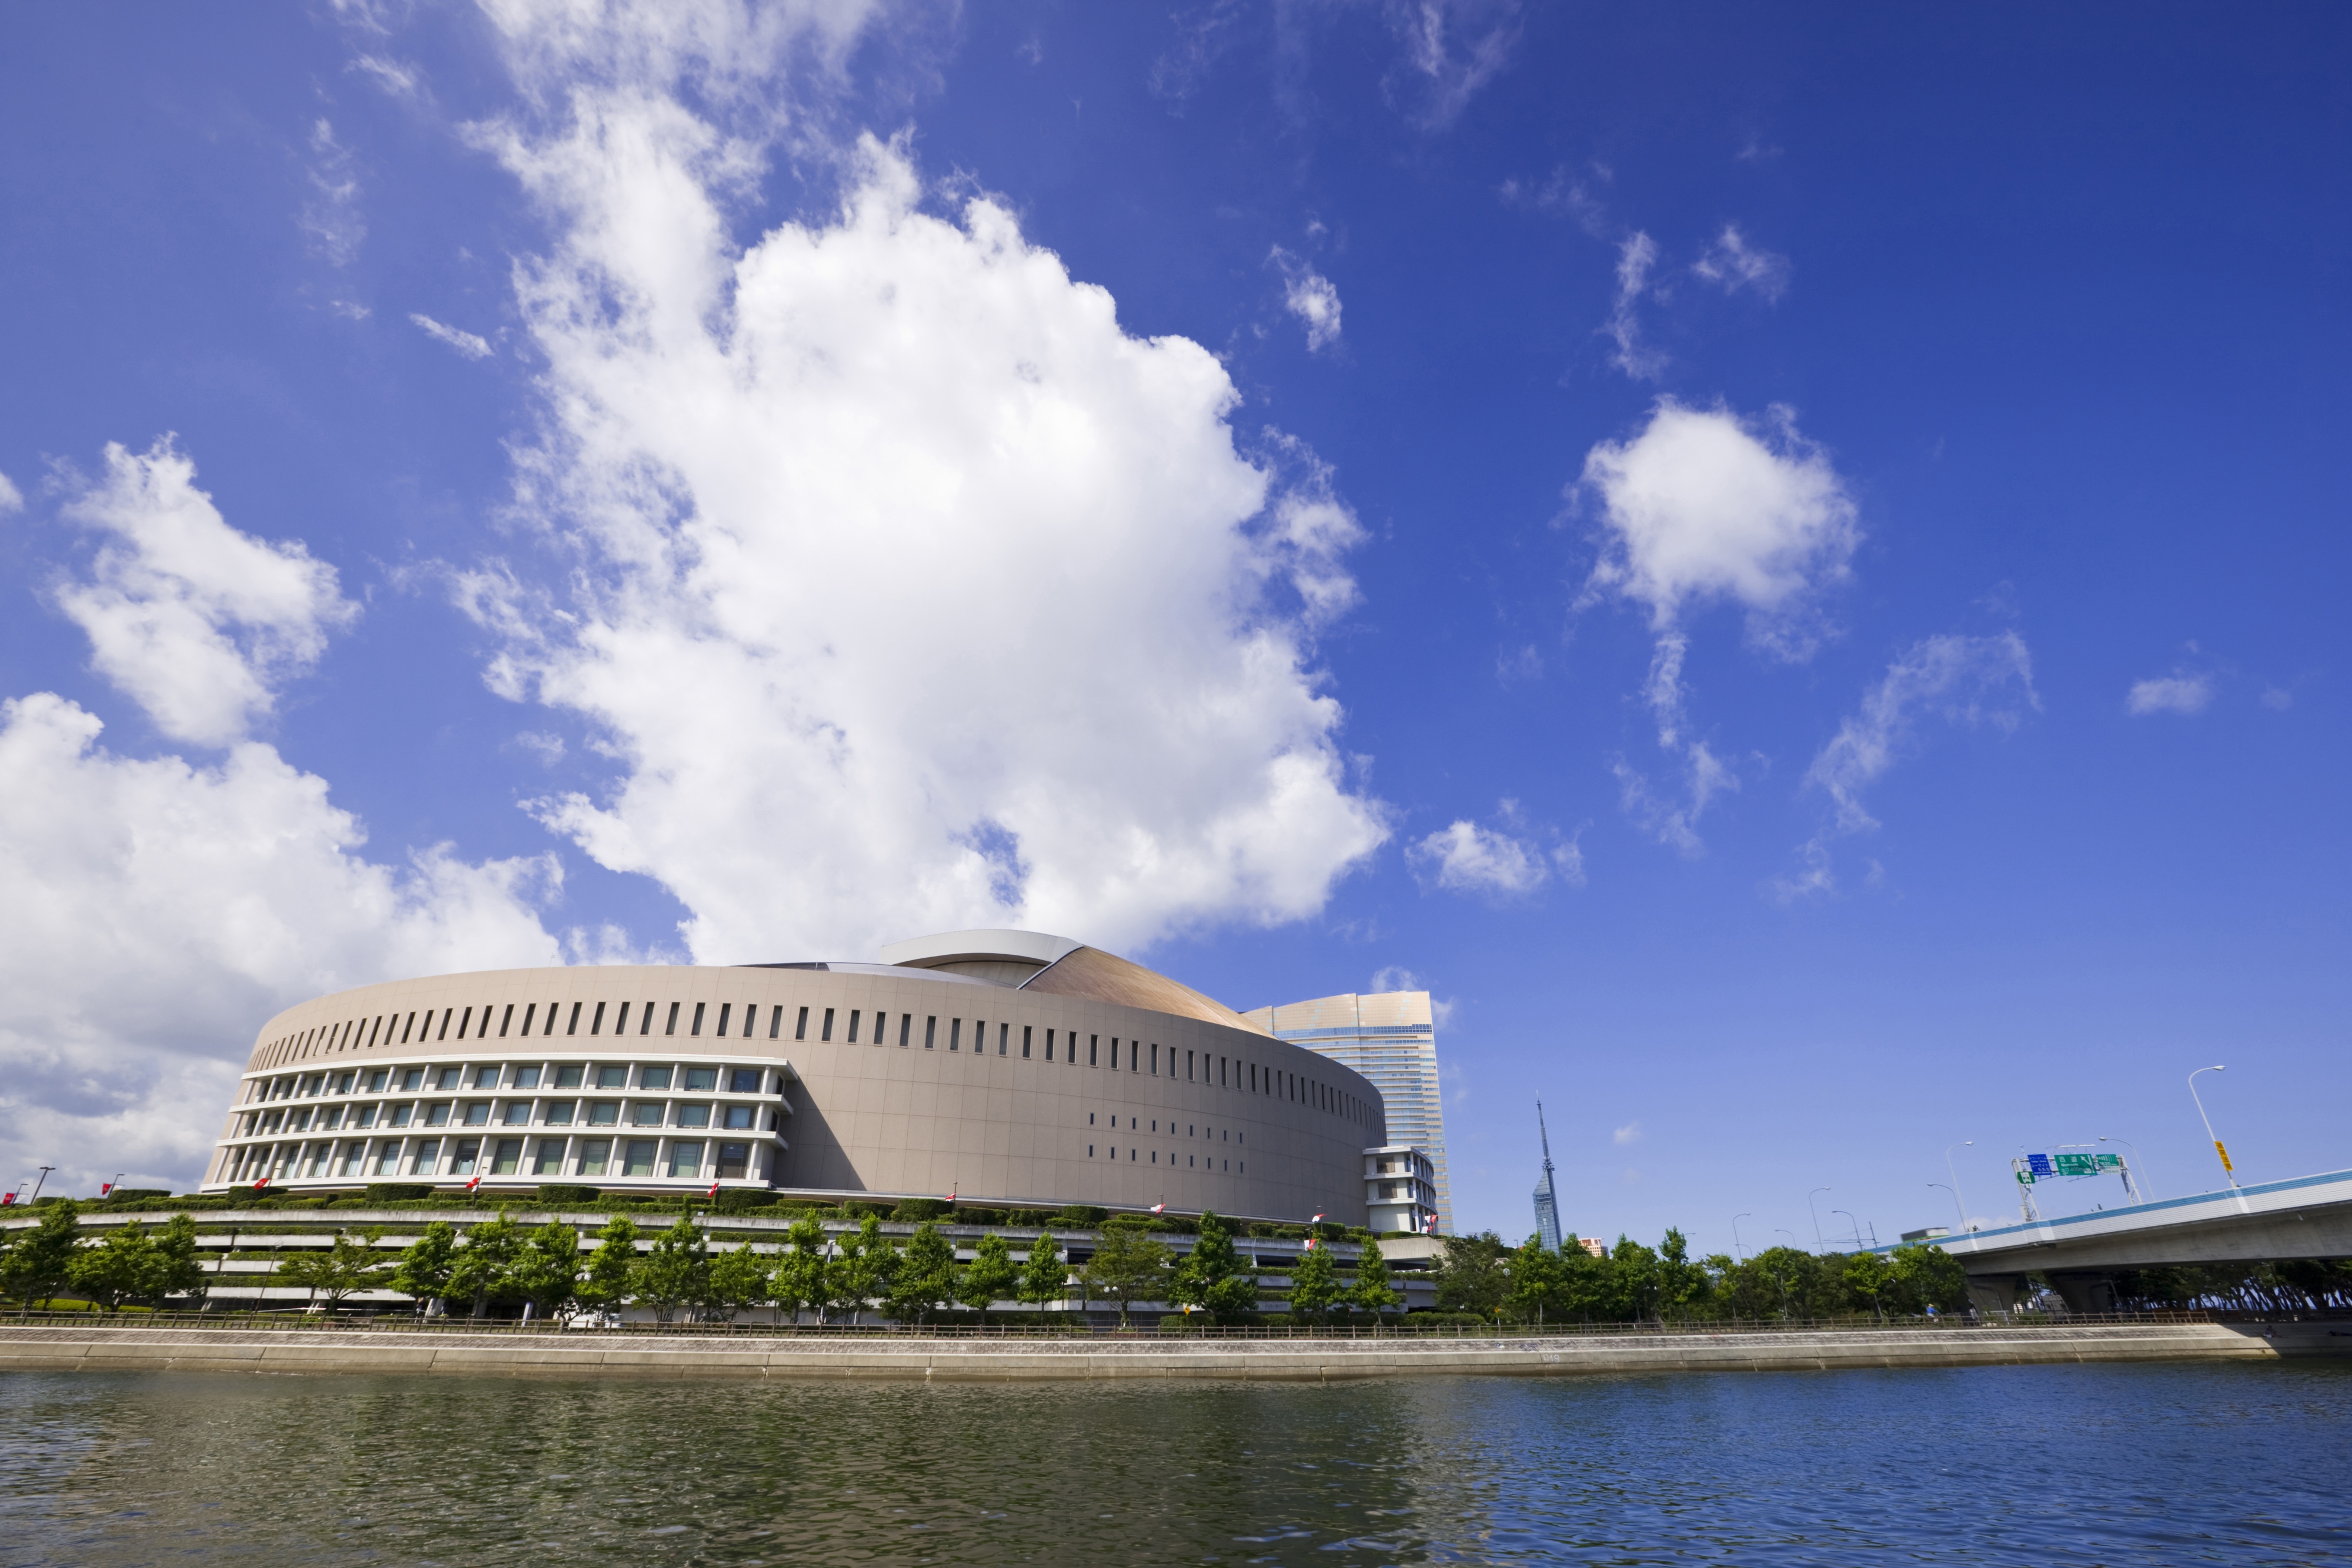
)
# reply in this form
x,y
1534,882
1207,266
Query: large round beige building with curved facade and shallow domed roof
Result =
x,y
1034,1078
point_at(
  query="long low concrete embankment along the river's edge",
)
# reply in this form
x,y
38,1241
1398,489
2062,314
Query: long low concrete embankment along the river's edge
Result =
x,y
1116,1358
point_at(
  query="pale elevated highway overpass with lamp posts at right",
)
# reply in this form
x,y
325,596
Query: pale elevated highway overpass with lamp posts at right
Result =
x,y
2308,1217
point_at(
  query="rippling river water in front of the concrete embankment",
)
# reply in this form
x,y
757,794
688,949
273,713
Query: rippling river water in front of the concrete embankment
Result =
x,y
1993,1466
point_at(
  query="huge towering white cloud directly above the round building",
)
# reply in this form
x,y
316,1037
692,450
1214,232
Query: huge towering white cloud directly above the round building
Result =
x,y
907,587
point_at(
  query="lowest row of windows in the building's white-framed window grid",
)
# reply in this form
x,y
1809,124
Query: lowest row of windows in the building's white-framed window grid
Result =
x,y
507,1158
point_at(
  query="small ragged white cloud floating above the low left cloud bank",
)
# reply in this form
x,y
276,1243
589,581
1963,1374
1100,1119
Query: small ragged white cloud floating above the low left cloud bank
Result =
x,y
189,617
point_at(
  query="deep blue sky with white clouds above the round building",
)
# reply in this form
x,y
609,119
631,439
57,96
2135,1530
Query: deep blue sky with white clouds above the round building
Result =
x,y
1784,565
